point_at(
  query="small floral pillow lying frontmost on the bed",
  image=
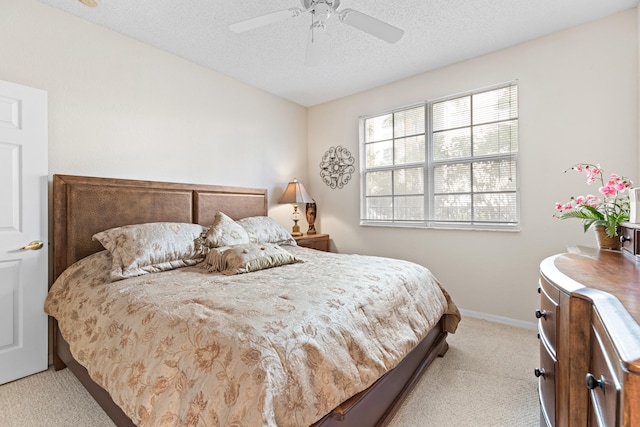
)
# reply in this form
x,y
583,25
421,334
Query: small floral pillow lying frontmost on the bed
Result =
x,y
248,257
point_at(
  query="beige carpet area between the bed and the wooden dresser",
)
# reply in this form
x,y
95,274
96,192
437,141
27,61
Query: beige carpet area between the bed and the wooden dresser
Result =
x,y
485,380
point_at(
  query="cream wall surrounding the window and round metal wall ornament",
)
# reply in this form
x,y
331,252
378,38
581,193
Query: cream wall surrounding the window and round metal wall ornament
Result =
x,y
578,103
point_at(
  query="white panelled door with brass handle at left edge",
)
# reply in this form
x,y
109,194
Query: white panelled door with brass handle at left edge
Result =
x,y
23,229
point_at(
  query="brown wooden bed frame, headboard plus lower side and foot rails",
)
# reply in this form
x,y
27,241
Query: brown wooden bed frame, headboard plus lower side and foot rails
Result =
x,y
83,206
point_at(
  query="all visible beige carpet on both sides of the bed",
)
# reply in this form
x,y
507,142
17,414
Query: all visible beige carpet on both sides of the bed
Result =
x,y
485,379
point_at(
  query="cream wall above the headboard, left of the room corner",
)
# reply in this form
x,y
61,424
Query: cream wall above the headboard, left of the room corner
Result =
x,y
120,108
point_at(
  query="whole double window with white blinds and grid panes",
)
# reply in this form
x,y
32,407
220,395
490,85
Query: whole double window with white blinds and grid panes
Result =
x,y
445,163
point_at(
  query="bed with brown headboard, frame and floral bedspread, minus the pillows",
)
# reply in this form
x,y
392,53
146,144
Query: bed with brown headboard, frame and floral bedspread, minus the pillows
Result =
x,y
366,392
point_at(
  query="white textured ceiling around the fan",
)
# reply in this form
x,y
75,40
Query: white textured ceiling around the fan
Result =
x,y
437,33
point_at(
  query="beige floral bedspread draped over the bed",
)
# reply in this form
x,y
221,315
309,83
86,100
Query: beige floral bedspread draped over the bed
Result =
x,y
281,346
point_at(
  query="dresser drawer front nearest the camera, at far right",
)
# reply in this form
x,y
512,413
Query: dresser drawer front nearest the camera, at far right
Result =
x,y
601,380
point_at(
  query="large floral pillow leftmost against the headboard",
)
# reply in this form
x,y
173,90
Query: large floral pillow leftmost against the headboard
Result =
x,y
148,248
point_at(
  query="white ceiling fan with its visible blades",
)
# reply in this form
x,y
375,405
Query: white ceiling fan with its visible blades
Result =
x,y
321,11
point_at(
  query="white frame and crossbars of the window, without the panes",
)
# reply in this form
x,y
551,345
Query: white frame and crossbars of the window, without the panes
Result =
x,y
429,165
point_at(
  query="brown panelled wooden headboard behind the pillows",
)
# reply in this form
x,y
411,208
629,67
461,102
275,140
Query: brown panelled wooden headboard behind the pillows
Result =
x,y
83,206
